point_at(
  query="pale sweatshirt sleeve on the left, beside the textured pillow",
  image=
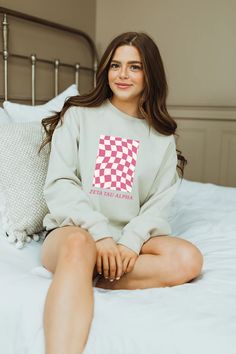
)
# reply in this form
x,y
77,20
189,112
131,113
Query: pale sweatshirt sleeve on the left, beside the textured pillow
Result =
x,y
68,204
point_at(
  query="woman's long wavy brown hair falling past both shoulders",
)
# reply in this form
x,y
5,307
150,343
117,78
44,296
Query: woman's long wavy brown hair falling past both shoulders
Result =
x,y
152,103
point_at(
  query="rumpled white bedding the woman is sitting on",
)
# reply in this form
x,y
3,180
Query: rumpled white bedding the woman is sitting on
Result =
x,y
197,317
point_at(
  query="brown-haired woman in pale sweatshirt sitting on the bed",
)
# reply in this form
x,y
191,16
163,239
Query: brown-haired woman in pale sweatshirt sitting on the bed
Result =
x,y
111,177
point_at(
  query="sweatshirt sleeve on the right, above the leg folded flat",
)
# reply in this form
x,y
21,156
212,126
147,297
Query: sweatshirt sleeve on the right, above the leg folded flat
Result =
x,y
152,219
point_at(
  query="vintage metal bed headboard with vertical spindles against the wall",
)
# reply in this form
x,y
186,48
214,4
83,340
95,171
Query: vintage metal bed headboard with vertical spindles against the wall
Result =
x,y
57,64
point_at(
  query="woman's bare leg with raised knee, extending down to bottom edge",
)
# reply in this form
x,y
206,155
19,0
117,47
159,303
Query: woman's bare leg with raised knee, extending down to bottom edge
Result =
x,y
70,253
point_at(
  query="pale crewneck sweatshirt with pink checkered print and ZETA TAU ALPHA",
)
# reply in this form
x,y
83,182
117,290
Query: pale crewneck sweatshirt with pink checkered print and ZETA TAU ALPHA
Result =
x,y
110,174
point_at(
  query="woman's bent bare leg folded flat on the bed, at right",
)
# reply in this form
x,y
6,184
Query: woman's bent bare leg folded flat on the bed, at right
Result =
x,y
163,261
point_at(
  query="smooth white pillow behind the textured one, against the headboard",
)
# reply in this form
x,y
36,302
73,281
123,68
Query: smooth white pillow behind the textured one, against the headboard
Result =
x,y
24,113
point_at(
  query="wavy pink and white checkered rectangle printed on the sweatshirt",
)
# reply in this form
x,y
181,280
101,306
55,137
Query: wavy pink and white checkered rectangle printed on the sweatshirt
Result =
x,y
115,164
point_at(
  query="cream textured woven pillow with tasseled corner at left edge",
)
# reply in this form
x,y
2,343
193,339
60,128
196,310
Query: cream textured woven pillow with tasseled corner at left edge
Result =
x,y
22,177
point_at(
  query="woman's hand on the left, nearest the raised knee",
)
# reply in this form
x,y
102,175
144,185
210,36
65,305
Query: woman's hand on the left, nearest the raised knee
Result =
x,y
108,259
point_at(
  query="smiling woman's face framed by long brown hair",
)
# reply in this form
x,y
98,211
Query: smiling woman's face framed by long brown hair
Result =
x,y
125,75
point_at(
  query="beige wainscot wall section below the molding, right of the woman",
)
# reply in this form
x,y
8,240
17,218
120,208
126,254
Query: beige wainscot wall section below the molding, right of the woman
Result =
x,y
207,139
